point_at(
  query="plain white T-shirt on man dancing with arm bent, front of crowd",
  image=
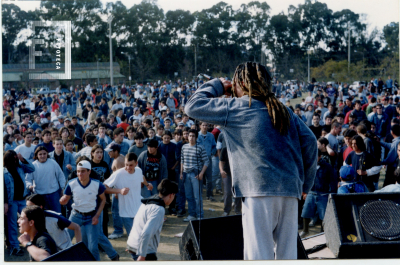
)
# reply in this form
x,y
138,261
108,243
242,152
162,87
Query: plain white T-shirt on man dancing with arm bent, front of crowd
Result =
x,y
128,204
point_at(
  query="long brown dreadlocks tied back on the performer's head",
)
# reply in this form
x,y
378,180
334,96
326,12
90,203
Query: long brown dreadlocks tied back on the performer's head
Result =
x,y
255,81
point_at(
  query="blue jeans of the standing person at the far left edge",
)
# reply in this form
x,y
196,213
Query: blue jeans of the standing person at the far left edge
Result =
x,y
12,218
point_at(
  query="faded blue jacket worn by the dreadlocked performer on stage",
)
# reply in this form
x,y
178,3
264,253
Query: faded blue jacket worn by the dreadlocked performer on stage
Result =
x,y
266,163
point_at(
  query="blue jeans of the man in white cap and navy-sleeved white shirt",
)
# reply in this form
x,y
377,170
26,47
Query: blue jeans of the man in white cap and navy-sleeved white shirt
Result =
x,y
89,232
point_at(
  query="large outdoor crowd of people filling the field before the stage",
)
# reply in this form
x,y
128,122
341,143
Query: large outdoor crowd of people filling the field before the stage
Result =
x,y
134,149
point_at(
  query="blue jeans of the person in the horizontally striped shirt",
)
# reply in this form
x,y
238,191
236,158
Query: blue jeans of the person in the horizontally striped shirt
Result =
x,y
193,188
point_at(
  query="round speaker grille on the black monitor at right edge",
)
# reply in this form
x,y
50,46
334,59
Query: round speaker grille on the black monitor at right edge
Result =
x,y
381,219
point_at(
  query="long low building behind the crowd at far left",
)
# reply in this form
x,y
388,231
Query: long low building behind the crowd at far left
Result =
x,y
17,75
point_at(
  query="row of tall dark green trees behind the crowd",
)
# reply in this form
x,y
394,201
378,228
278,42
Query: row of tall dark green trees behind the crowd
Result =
x,y
213,40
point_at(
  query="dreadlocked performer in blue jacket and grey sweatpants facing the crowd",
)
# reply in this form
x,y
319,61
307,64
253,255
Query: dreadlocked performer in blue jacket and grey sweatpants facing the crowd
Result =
x,y
275,156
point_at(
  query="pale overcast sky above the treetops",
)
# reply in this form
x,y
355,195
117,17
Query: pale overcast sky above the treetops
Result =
x,y
379,12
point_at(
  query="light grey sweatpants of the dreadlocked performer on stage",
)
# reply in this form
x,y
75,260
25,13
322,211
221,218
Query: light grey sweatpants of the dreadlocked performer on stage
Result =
x,y
270,228
